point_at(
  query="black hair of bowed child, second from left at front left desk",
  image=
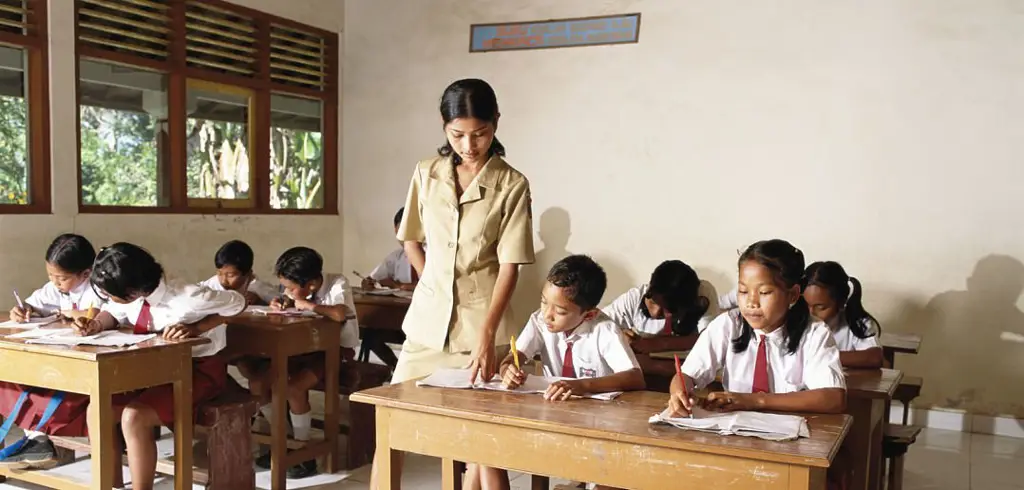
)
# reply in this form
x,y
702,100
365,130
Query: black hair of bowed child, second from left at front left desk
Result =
x,y
124,271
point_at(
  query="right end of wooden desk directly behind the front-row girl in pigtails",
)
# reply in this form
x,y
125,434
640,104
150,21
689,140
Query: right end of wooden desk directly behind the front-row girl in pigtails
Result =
x,y
869,393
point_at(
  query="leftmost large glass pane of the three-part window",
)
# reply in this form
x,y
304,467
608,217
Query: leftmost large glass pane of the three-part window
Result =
x,y
123,118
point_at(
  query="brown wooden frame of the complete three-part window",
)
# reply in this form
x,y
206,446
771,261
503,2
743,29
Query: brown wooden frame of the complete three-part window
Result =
x,y
180,75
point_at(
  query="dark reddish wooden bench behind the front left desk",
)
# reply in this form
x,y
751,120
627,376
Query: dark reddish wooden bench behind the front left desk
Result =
x,y
226,421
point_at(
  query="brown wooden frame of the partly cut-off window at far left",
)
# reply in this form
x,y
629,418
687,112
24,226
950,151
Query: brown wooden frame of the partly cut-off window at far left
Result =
x,y
37,83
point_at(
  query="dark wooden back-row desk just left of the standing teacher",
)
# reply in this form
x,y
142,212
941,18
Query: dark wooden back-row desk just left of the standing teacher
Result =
x,y
380,323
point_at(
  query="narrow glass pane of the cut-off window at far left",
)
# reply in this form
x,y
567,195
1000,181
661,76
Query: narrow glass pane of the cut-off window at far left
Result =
x,y
14,128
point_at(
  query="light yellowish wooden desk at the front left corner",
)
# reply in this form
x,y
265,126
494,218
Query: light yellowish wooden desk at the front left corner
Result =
x,y
102,373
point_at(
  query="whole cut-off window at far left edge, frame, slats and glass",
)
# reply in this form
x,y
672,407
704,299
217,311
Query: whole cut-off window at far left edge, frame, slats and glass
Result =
x,y
24,109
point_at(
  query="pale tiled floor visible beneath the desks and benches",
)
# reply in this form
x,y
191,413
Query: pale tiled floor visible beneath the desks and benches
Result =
x,y
940,461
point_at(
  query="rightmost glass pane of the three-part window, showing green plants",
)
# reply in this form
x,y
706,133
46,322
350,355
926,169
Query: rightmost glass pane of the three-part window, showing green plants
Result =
x,y
296,153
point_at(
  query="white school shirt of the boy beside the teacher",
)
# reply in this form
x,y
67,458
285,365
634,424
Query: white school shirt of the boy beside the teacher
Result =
x,y
600,347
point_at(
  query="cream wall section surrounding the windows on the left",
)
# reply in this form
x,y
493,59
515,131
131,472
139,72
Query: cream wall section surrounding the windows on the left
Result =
x,y
185,244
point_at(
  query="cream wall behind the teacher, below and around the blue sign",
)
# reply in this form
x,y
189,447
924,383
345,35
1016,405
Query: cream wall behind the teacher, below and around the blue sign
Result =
x,y
883,135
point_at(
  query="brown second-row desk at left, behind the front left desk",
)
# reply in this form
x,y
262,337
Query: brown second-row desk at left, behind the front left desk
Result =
x,y
280,338
